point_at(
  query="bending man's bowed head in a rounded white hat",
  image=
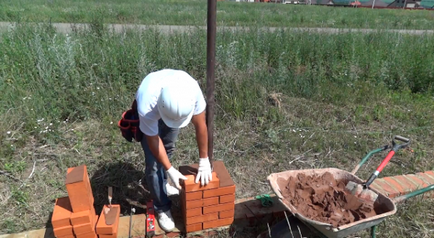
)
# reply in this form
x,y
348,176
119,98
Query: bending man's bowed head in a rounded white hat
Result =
x,y
176,106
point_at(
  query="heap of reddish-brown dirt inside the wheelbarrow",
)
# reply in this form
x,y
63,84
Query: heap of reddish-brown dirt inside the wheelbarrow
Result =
x,y
323,199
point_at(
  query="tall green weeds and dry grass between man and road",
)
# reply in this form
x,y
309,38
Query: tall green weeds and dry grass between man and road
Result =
x,y
285,101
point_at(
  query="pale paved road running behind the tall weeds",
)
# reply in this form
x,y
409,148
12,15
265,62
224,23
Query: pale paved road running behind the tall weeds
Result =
x,y
67,28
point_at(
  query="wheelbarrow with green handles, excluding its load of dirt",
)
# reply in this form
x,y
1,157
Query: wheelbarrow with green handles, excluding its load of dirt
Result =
x,y
385,206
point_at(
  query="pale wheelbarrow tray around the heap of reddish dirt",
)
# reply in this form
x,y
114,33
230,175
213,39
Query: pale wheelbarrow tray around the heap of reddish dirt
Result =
x,y
387,205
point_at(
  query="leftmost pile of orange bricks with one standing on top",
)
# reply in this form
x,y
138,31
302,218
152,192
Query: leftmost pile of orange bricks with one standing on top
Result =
x,y
74,216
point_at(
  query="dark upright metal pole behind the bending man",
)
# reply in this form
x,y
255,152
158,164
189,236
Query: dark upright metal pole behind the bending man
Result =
x,y
210,75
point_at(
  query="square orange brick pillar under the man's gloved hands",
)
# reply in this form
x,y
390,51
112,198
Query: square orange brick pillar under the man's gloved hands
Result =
x,y
209,206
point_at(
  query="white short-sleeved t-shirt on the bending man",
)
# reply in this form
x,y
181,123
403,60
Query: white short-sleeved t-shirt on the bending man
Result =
x,y
150,89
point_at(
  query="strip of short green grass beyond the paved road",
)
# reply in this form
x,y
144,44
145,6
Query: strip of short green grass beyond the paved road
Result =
x,y
193,12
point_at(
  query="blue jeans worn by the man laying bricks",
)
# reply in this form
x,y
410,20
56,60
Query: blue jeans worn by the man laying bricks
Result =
x,y
155,174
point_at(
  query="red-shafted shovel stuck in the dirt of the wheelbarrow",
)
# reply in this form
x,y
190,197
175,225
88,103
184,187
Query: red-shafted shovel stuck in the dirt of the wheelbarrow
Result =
x,y
362,190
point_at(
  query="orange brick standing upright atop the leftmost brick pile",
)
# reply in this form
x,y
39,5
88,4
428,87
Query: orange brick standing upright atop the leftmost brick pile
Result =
x,y
79,189
